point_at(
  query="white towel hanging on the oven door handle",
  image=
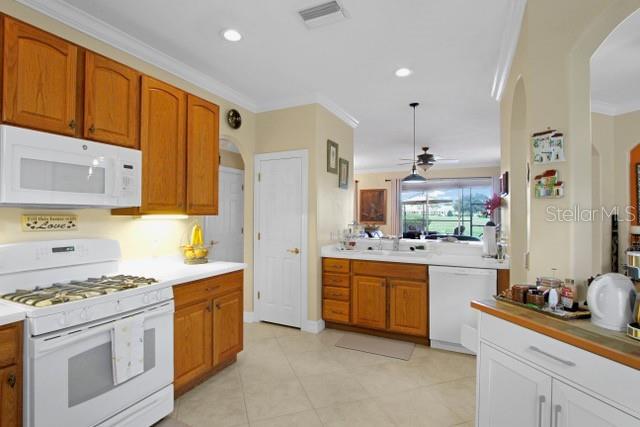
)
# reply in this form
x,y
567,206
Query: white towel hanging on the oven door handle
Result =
x,y
127,348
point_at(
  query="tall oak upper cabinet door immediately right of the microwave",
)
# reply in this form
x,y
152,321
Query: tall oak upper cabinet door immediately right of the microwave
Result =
x,y
163,145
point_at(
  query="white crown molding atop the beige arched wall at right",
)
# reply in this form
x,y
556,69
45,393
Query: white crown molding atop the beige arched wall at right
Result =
x,y
508,45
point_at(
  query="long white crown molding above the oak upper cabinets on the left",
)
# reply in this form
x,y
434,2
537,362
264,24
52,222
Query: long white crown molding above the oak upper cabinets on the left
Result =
x,y
100,30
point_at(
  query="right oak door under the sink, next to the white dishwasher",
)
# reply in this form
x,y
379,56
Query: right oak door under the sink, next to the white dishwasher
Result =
x,y
408,307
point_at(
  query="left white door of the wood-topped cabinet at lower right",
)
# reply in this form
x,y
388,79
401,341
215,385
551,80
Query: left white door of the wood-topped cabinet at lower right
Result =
x,y
511,393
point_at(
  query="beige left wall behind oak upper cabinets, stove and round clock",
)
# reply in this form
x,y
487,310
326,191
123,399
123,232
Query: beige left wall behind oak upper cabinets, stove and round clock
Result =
x,y
138,238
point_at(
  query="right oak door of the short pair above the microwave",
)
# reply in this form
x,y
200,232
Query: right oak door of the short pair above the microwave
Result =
x,y
111,102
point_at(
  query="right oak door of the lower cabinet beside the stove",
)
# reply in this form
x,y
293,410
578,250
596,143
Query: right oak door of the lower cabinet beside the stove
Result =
x,y
227,327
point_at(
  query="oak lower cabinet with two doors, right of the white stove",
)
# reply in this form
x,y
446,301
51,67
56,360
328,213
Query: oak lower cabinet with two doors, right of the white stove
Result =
x,y
208,328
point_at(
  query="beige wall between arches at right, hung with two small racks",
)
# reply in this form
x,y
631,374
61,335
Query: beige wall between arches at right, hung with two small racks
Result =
x,y
552,66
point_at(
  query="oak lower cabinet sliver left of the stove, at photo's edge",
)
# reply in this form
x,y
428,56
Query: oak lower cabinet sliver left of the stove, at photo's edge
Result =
x,y
11,375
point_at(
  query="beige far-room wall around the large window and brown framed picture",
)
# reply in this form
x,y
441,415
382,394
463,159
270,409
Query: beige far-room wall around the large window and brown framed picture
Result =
x,y
369,180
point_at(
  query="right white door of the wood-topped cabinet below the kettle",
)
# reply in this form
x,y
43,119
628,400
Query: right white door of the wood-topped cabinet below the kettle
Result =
x,y
573,408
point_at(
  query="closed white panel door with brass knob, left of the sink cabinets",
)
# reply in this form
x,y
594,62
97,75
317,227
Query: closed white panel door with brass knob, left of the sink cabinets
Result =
x,y
279,225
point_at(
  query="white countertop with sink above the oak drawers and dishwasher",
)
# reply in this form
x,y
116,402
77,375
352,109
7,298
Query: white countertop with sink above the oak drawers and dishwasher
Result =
x,y
428,257
